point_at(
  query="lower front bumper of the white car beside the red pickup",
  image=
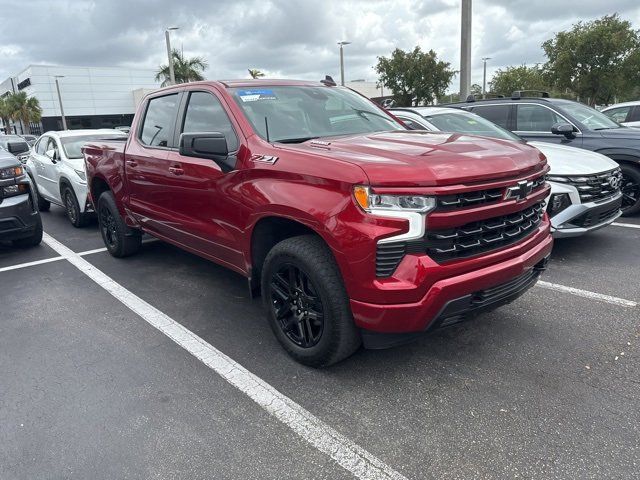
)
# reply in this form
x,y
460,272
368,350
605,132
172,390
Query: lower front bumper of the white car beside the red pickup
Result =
x,y
582,218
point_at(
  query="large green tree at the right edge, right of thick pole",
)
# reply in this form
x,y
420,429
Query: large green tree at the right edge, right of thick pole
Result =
x,y
597,60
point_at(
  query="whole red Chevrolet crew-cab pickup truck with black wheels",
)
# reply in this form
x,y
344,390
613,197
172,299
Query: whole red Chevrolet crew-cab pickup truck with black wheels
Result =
x,y
354,229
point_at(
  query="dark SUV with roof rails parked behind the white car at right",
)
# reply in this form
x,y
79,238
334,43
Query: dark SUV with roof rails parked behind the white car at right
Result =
x,y
556,120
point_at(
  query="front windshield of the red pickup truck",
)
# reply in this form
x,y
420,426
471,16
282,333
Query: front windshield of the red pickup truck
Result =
x,y
295,114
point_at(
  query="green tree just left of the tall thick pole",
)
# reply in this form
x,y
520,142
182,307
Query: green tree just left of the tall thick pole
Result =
x,y
414,77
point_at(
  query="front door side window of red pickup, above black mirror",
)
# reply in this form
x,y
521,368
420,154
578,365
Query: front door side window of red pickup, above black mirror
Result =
x,y
205,114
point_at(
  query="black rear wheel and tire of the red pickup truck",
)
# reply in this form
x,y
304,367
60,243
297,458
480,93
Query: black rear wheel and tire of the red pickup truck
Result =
x,y
120,240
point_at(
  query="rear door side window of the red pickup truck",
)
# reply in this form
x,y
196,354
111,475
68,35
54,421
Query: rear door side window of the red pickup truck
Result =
x,y
157,129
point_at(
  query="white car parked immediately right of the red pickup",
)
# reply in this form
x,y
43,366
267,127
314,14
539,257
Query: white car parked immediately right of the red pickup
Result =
x,y
585,186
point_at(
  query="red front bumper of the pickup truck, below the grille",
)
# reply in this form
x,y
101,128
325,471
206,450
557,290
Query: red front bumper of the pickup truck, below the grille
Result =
x,y
445,299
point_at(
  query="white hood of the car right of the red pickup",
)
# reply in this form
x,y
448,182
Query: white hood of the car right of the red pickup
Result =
x,y
565,160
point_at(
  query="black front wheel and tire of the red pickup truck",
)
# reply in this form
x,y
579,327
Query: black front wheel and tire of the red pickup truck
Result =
x,y
306,302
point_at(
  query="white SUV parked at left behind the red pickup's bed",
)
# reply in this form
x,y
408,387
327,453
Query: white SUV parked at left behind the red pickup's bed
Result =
x,y
56,166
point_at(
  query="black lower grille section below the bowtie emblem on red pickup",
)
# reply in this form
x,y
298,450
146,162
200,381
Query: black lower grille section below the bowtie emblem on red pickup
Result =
x,y
480,237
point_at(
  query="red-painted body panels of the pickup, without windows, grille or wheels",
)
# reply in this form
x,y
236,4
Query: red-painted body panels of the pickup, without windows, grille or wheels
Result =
x,y
191,203
